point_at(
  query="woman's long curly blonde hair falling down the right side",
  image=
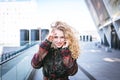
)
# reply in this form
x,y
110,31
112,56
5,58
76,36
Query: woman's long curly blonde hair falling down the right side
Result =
x,y
70,35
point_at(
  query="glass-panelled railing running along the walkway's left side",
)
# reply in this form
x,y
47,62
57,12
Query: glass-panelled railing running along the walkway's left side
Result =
x,y
17,65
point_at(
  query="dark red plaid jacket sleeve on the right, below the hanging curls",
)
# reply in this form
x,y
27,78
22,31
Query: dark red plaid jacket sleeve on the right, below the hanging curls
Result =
x,y
70,63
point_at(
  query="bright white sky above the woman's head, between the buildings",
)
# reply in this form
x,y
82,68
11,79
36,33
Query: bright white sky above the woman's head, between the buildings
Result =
x,y
73,12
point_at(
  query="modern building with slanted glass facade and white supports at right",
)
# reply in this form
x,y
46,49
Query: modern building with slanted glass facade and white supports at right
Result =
x,y
106,16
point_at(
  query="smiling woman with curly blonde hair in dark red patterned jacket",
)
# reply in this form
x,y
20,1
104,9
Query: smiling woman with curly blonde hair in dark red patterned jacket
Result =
x,y
58,53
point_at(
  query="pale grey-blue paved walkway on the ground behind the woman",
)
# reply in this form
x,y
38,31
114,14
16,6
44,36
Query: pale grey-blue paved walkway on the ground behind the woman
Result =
x,y
95,63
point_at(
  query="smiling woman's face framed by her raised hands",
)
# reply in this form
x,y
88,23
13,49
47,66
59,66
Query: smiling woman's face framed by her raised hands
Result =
x,y
59,38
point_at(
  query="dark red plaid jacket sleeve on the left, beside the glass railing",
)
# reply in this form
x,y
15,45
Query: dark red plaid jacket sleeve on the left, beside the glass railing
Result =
x,y
38,57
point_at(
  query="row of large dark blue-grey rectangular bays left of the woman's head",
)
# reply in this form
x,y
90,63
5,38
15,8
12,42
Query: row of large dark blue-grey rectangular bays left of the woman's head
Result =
x,y
29,36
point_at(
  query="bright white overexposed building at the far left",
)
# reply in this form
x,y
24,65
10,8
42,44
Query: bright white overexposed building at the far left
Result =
x,y
16,15
